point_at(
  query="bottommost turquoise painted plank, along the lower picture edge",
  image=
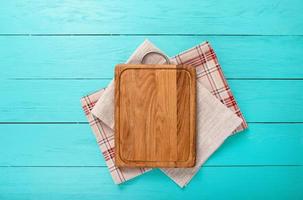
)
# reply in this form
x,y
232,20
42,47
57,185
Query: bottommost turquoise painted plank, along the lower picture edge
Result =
x,y
95,183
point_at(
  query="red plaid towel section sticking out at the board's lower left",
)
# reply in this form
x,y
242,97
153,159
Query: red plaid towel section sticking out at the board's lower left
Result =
x,y
105,139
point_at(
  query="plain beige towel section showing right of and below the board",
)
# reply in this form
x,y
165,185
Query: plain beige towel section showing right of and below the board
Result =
x,y
215,122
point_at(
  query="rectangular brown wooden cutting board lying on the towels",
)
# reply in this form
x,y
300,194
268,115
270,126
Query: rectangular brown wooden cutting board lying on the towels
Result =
x,y
155,115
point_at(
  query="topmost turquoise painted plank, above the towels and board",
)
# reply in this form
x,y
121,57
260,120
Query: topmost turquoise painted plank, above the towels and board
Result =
x,y
134,16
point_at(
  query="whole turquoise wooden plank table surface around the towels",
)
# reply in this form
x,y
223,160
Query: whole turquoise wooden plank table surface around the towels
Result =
x,y
54,52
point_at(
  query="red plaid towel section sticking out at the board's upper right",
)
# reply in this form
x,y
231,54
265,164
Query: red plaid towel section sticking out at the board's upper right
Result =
x,y
210,75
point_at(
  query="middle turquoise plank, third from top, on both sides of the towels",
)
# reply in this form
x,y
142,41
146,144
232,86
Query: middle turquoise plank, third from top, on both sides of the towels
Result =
x,y
57,101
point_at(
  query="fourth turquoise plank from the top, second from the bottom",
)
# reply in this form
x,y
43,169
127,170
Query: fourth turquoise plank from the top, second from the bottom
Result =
x,y
75,145
